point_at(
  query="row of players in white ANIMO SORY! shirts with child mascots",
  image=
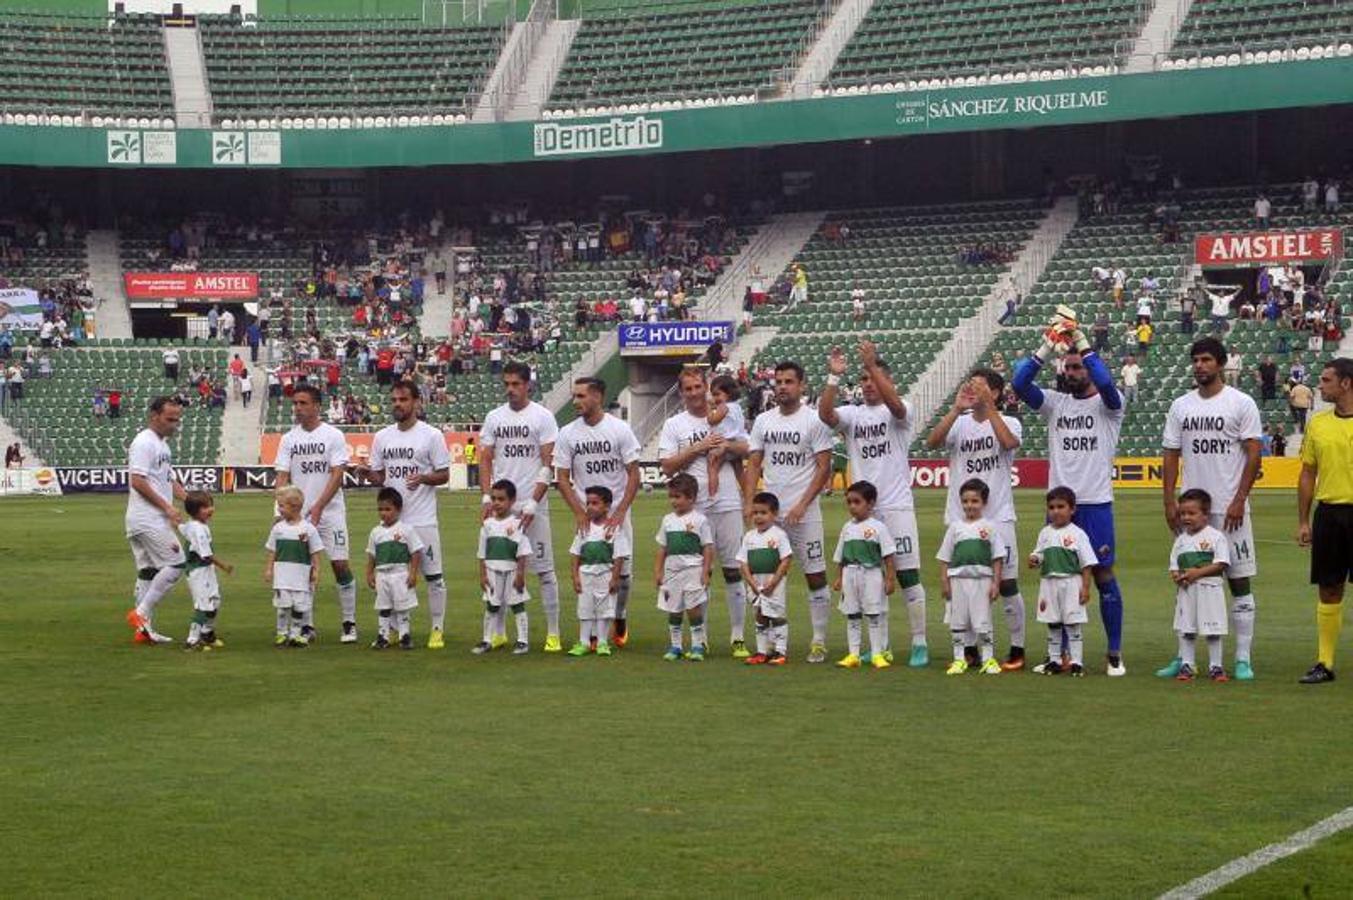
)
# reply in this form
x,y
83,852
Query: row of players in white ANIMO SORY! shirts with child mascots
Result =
x,y
1213,430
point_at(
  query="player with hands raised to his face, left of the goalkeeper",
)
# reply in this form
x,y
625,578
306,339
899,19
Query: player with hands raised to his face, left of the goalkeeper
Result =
x,y
982,445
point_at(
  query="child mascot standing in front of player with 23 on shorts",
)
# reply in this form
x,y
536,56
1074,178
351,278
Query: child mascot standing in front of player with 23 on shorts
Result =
x,y
765,558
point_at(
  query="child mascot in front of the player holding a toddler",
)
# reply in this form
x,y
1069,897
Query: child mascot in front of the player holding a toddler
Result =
x,y
683,566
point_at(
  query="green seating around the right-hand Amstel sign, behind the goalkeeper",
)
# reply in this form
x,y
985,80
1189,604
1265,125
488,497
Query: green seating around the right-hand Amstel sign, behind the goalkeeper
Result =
x,y
1130,239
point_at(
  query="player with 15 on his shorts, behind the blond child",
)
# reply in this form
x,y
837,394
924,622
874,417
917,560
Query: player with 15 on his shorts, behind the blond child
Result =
x,y
315,458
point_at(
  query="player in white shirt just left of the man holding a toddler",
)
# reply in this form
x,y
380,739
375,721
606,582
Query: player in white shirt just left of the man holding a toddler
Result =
x,y
600,450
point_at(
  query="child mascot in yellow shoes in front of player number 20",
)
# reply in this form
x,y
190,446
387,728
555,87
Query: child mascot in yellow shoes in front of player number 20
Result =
x,y
865,576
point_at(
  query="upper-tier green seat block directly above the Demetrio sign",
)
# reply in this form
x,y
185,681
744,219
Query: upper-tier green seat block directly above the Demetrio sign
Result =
x,y
681,51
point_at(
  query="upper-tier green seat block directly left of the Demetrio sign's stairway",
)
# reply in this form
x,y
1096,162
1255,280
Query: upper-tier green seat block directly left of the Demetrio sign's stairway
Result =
x,y
304,67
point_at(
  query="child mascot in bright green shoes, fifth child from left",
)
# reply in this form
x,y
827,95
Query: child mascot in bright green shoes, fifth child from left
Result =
x,y
599,557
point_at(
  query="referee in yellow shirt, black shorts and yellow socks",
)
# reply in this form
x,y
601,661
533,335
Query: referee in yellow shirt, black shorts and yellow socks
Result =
x,y
1328,478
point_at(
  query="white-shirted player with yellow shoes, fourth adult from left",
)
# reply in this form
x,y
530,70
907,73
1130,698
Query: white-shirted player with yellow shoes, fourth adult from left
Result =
x,y
518,443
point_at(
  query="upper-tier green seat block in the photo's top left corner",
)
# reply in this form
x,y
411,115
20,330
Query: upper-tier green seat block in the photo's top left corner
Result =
x,y
56,63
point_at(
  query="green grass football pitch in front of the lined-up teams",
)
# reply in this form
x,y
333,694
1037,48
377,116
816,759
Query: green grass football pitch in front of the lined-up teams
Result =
x,y
340,771
